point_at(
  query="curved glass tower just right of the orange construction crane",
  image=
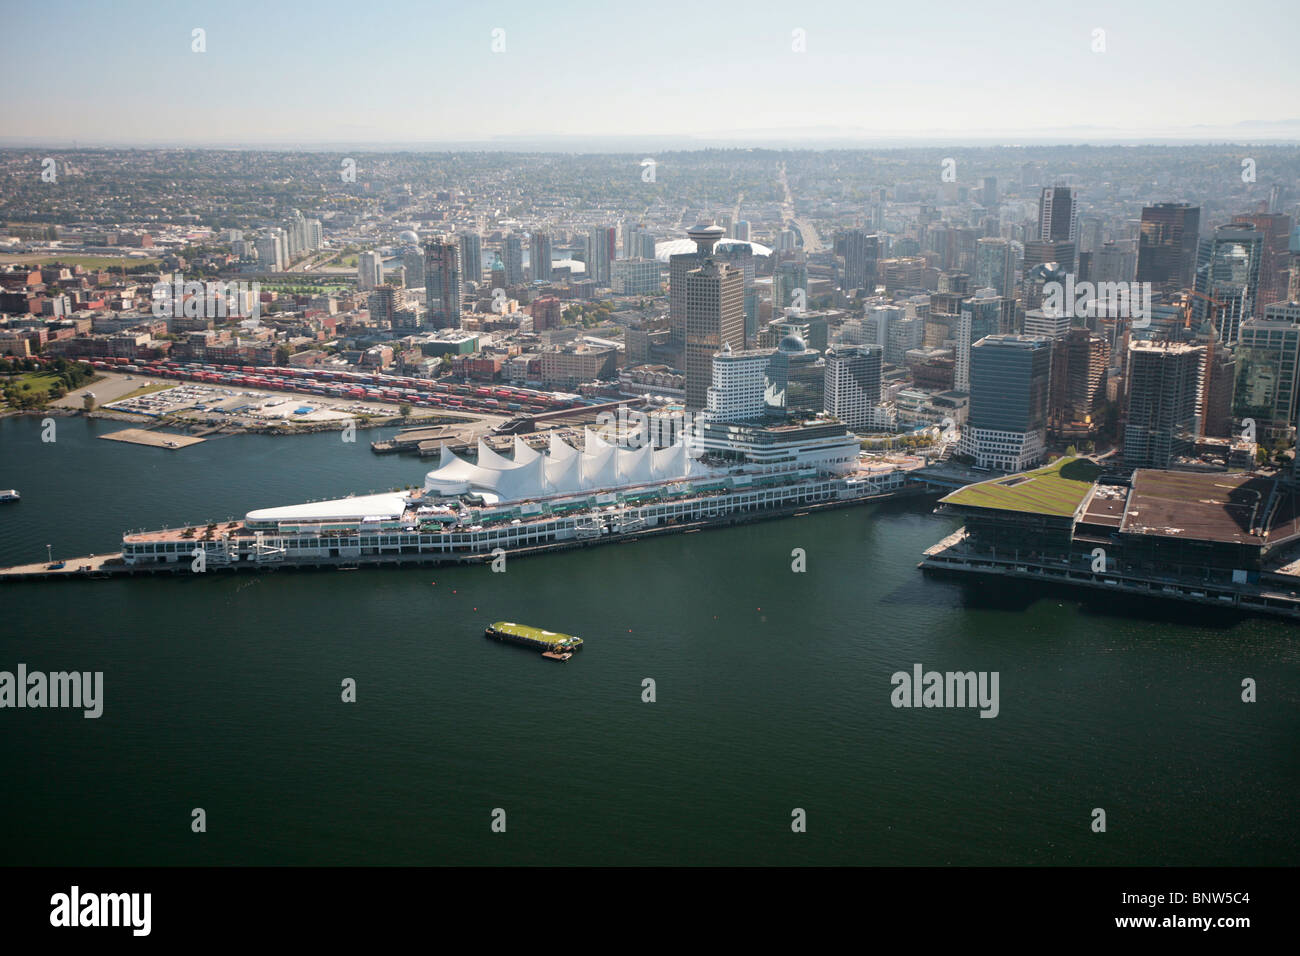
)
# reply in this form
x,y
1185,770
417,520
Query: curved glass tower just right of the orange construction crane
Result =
x,y
1228,279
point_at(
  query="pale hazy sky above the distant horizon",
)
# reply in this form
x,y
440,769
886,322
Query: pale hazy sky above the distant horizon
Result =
x,y
387,72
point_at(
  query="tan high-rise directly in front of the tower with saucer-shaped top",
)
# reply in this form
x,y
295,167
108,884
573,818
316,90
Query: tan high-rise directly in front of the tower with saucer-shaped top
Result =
x,y
716,317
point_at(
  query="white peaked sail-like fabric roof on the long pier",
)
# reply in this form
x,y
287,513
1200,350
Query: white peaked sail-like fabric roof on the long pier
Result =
x,y
564,470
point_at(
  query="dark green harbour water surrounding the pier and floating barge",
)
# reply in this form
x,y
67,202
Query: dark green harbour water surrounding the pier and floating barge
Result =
x,y
223,693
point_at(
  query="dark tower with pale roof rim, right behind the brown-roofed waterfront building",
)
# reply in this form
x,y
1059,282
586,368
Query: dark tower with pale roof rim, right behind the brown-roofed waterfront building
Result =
x,y
1160,410
